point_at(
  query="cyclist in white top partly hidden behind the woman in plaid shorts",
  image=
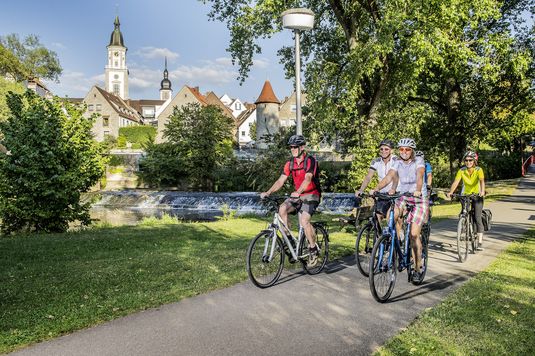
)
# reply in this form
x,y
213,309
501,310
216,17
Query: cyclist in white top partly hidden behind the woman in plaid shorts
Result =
x,y
381,165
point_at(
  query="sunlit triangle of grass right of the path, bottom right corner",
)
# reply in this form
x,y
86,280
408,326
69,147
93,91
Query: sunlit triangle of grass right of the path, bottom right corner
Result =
x,y
492,314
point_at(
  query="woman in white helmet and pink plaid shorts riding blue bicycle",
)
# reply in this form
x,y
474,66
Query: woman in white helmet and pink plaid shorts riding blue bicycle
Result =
x,y
410,170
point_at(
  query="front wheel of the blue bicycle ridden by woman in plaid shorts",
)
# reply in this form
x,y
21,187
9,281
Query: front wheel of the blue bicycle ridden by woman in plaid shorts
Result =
x,y
382,275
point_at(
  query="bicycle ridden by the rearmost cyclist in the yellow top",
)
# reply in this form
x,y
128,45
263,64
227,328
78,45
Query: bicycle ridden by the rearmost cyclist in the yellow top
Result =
x,y
466,227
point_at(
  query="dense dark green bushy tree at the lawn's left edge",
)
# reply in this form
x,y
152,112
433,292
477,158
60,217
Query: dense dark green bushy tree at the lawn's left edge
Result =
x,y
53,159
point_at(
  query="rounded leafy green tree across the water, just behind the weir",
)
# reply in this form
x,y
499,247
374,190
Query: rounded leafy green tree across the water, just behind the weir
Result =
x,y
204,138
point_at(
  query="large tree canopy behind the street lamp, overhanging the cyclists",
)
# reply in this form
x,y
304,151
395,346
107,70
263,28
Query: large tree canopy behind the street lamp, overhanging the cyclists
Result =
x,y
398,67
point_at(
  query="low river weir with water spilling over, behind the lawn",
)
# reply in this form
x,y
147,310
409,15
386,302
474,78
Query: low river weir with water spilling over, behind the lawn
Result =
x,y
196,205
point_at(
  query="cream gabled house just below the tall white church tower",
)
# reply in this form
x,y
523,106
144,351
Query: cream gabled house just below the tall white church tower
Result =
x,y
113,113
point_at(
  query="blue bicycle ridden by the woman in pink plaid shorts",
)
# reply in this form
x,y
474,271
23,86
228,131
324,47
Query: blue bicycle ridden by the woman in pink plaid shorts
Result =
x,y
391,254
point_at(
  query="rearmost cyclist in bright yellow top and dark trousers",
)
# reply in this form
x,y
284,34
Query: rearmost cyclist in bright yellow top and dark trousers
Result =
x,y
473,183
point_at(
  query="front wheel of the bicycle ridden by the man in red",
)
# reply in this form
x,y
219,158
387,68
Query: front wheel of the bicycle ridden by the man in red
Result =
x,y
262,272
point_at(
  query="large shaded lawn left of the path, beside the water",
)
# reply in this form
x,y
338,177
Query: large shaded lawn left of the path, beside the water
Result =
x,y
58,283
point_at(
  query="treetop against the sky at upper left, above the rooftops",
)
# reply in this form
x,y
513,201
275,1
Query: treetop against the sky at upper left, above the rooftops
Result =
x,y
37,61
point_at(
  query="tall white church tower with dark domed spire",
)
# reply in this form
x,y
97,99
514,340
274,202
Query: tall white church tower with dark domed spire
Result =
x,y
116,78
